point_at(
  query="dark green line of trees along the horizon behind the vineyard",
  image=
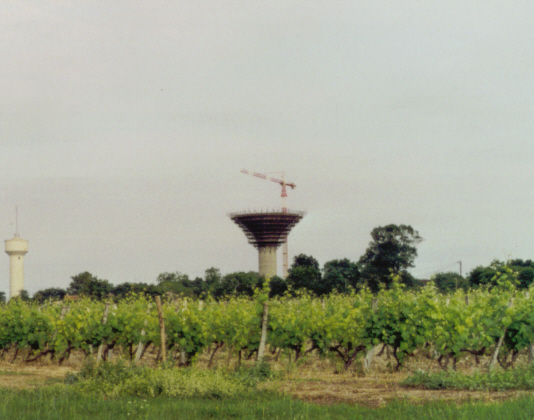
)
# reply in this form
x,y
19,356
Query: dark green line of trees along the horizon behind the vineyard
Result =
x,y
392,250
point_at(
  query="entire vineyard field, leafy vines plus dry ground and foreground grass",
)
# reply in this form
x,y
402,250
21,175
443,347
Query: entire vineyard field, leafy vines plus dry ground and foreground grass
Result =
x,y
315,357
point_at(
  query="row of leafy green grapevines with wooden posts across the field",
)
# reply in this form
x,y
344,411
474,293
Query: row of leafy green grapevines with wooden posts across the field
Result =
x,y
491,325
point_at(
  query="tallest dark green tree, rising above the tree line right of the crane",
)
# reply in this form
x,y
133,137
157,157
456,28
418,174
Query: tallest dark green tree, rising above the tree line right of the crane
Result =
x,y
393,249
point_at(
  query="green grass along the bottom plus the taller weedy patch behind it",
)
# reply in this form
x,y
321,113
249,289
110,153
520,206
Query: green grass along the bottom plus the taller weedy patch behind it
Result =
x,y
111,391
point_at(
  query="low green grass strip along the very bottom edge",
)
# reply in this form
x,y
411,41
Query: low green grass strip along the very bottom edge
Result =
x,y
60,403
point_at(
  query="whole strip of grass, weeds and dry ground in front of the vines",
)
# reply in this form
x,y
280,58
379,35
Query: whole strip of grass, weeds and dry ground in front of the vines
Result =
x,y
117,391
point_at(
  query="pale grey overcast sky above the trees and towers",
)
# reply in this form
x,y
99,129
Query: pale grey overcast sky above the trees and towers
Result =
x,y
124,127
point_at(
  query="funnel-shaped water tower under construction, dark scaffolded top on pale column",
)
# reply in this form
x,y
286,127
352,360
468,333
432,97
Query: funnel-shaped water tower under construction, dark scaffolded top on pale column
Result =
x,y
266,231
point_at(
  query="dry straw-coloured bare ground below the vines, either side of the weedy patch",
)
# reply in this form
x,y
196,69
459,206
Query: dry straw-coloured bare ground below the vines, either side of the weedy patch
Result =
x,y
314,380
